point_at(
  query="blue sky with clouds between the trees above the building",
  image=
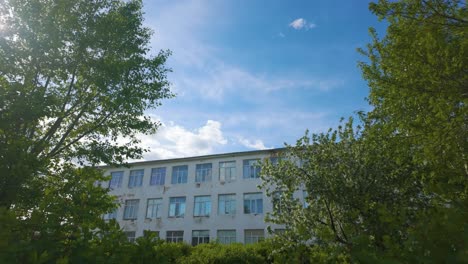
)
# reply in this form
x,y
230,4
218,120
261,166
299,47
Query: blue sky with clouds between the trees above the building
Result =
x,y
255,74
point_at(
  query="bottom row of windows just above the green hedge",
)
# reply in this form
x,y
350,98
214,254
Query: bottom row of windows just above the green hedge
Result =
x,y
203,236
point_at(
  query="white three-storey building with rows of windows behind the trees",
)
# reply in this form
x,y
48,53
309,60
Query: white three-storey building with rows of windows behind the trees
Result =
x,y
195,199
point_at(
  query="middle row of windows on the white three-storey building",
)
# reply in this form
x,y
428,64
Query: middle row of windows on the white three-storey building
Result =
x,y
253,204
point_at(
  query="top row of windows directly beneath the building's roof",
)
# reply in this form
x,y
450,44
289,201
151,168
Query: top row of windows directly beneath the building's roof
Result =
x,y
203,173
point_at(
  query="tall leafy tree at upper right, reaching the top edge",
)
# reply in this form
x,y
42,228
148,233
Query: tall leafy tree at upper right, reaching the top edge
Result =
x,y
418,75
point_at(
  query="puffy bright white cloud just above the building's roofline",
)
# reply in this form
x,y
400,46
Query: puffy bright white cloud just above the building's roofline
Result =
x,y
175,141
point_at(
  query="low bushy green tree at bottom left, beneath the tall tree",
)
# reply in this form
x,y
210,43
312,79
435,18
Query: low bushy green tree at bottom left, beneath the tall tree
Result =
x,y
66,223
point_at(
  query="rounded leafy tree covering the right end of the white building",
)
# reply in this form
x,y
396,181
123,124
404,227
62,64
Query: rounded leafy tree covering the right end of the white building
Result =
x,y
358,194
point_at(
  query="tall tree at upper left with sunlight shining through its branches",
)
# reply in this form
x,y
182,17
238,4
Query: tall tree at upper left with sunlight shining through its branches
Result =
x,y
74,77
